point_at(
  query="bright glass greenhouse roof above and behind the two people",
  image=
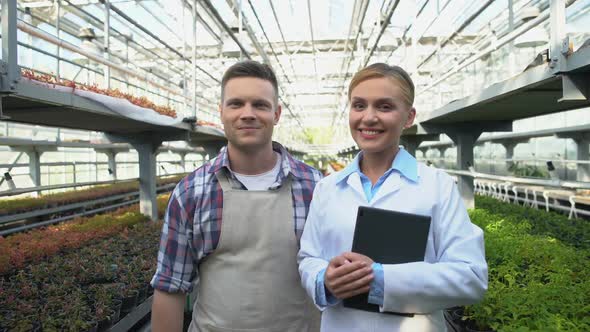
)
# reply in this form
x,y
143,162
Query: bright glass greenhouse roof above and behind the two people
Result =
x,y
313,46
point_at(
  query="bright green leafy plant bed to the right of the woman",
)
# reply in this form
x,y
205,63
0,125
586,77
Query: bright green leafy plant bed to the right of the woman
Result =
x,y
539,271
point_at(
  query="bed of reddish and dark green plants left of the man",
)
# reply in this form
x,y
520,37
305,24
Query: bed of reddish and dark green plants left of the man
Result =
x,y
81,276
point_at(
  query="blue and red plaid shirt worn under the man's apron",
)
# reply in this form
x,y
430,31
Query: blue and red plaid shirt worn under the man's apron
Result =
x,y
192,223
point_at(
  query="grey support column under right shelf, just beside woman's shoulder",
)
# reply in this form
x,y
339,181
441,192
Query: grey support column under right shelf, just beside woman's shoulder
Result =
x,y
465,142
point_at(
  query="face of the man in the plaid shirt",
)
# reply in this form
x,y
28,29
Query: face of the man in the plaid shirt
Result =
x,y
249,112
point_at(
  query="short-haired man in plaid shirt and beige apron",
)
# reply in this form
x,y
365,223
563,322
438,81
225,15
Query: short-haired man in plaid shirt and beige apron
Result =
x,y
234,224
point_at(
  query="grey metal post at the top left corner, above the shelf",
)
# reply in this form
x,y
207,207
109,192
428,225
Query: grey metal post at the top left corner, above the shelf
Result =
x,y
10,74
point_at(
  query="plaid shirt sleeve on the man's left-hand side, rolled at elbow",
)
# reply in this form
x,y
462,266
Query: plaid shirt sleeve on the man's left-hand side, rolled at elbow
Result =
x,y
176,268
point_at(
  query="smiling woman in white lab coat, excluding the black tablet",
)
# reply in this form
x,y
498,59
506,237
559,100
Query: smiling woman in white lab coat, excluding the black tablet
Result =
x,y
383,175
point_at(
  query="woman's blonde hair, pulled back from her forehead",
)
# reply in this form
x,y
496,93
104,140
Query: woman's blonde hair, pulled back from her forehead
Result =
x,y
381,70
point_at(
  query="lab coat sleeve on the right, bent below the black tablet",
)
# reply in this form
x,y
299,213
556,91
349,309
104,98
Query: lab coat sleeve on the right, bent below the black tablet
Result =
x,y
459,275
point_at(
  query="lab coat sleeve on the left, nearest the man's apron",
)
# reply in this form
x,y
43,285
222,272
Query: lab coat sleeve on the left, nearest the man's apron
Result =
x,y
309,257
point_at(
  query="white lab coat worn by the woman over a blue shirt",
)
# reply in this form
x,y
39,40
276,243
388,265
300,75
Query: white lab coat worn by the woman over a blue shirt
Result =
x,y
454,271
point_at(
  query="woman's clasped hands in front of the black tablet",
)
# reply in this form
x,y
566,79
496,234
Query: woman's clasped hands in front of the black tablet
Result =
x,y
346,277
